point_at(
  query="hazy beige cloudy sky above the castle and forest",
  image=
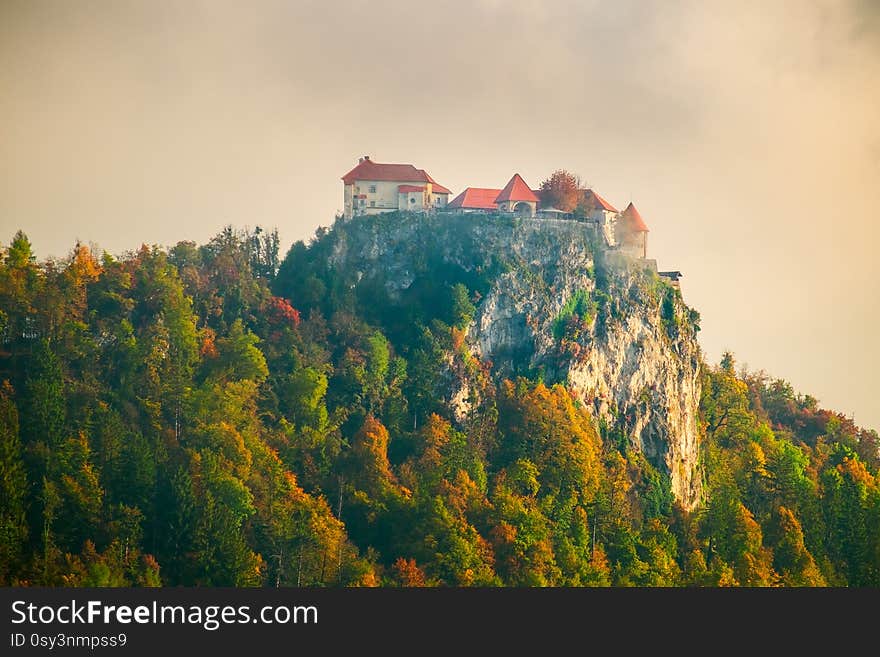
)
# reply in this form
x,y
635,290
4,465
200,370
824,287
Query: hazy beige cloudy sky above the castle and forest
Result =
x,y
746,132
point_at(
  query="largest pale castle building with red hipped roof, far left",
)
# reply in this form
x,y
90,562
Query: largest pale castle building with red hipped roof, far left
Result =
x,y
372,187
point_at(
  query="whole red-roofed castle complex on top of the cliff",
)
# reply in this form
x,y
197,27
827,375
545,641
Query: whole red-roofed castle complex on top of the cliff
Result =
x,y
372,187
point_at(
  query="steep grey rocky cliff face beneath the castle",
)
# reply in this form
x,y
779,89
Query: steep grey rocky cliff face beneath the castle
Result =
x,y
551,301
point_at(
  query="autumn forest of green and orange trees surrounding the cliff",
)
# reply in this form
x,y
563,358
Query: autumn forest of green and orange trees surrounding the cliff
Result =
x,y
213,415
